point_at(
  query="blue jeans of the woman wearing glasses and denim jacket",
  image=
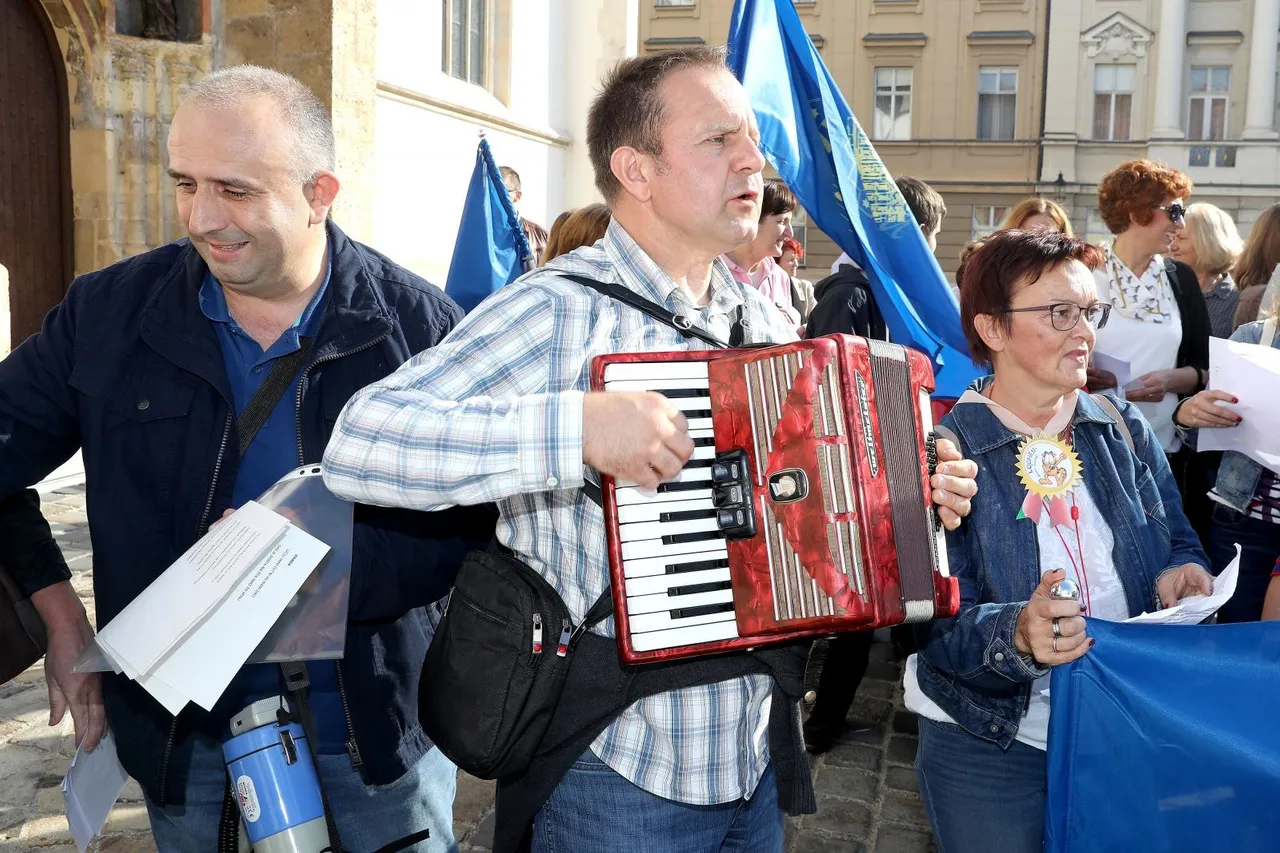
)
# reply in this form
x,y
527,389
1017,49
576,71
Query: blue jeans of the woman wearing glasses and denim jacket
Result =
x,y
981,799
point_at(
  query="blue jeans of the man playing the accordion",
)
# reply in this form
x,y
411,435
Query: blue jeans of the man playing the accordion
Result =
x,y
595,810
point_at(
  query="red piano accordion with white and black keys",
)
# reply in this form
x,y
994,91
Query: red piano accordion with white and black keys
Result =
x,y
804,510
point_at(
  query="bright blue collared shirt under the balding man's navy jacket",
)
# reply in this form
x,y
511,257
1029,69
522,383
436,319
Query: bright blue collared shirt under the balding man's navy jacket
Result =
x,y
272,454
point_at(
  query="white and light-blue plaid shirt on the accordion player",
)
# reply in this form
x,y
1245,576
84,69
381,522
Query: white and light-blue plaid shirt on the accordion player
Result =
x,y
495,413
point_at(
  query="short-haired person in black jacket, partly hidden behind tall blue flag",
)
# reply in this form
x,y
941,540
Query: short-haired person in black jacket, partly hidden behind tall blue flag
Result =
x,y
847,305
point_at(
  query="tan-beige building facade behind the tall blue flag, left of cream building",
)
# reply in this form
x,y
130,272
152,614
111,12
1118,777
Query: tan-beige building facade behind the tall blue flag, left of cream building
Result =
x,y
950,92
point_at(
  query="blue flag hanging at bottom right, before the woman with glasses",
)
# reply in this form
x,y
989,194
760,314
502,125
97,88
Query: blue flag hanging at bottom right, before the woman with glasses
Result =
x,y
1164,740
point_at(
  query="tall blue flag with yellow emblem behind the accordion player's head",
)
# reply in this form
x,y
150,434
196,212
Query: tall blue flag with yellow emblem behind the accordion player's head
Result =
x,y
812,139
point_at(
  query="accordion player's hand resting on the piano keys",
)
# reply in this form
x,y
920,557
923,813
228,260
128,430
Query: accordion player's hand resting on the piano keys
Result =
x,y
638,436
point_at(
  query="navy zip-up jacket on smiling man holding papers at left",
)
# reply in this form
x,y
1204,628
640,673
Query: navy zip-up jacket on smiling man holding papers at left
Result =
x,y
130,371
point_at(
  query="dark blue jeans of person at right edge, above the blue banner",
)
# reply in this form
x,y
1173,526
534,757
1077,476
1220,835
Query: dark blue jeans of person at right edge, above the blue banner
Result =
x,y
1260,546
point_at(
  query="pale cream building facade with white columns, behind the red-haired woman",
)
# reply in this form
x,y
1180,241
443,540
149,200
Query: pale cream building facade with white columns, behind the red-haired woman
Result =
x,y
1191,84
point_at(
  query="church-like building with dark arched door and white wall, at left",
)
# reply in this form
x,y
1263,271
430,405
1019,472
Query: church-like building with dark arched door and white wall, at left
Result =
x,y
89,89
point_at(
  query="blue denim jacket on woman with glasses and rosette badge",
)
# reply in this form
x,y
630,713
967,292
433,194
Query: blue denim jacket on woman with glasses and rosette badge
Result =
x,y
970,665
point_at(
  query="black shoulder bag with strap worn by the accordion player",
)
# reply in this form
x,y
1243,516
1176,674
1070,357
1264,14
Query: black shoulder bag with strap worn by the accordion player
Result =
x,y
496,668
